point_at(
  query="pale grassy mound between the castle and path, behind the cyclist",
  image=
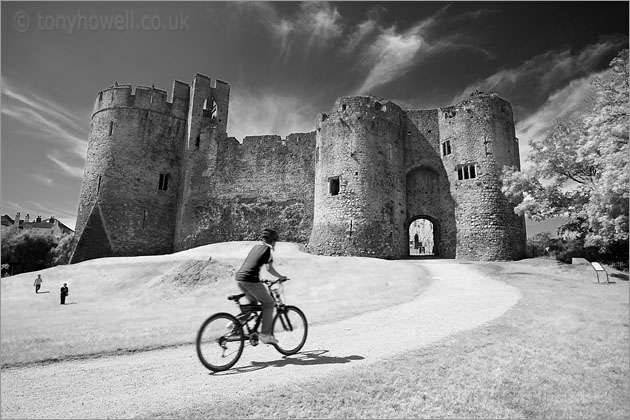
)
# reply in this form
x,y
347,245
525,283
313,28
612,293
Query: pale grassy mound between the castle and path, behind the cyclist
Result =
x,y
119,305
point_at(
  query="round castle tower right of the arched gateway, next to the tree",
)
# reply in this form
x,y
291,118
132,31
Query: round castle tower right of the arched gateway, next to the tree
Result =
x,y
479,136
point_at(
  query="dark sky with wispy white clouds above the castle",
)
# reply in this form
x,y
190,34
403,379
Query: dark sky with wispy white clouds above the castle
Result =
x,y
286,62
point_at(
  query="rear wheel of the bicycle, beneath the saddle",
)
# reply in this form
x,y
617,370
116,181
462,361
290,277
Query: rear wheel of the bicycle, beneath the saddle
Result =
x,y
220,342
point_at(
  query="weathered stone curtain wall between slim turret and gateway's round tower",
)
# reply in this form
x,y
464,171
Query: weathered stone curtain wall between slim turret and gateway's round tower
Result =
x,y
264,182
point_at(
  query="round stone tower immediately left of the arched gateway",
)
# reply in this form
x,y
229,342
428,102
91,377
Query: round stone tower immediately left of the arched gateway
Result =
x,y
359,202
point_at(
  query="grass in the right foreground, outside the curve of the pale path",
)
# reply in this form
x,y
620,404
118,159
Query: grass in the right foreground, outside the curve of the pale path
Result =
x,y
561,352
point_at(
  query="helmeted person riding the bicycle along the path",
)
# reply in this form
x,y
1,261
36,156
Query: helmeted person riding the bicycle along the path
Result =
x,y
248,280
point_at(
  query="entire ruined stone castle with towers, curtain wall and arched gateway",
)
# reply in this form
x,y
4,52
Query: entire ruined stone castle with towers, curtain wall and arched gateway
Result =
x,y
164,176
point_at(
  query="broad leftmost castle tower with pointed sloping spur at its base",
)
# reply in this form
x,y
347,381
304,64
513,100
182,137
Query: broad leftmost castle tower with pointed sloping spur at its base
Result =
x,y
131,178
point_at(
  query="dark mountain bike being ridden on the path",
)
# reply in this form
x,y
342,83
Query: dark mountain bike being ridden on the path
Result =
x,y
221,338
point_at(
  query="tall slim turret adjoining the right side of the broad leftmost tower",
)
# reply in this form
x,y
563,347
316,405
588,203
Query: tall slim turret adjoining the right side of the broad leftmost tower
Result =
x,y
206,127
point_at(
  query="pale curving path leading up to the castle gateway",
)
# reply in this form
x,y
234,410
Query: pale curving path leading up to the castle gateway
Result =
x,y
167,380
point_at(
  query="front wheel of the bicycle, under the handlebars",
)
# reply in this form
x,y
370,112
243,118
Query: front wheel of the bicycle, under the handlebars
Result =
x,y
290,329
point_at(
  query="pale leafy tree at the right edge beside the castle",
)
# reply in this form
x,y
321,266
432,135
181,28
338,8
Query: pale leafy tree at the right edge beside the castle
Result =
x,y
580,169
